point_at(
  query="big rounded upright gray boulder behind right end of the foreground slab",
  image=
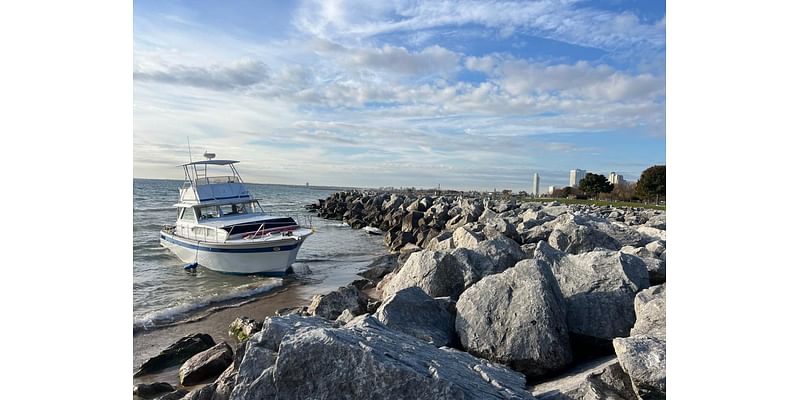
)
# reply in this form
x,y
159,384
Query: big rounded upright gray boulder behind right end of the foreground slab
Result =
x,y
516,317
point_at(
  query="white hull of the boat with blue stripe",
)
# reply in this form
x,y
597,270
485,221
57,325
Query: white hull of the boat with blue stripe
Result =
x,y
271,258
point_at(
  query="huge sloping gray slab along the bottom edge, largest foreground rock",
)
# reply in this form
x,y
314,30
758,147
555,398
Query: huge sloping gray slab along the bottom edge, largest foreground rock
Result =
x,y
365,359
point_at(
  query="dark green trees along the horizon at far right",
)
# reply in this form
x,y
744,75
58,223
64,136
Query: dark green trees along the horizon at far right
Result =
x,y
651,187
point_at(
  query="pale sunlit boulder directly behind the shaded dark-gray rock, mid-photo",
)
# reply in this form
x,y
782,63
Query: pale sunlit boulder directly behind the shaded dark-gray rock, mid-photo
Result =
x,y
437,273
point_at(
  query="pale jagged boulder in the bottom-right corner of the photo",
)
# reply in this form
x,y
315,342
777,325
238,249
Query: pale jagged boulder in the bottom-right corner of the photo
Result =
x,y
644,359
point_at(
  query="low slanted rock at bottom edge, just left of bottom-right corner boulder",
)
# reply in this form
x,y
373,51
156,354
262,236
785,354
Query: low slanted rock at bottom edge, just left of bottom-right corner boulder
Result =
x,y
601,379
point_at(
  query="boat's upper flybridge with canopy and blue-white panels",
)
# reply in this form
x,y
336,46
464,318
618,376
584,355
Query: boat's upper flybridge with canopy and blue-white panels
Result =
x,y
203,184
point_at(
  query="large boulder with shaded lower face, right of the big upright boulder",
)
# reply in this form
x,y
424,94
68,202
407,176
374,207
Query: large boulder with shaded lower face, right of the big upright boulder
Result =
x,y
599,288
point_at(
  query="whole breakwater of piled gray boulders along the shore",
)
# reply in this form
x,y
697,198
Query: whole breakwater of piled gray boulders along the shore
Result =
x,y
489,300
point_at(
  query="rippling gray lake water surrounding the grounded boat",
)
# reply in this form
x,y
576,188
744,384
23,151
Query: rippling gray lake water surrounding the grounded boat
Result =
x,y
165,294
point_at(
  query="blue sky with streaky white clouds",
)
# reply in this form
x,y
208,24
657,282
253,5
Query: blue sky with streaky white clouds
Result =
x,y
469,95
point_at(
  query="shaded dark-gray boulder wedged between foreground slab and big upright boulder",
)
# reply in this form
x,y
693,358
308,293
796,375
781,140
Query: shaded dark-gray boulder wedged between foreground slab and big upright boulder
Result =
x,y
413,312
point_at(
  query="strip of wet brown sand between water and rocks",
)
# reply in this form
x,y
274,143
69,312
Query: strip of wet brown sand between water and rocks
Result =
x,y
295,293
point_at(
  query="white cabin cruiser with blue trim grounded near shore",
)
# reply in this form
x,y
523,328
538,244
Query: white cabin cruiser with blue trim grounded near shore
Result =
x,y
221,227
